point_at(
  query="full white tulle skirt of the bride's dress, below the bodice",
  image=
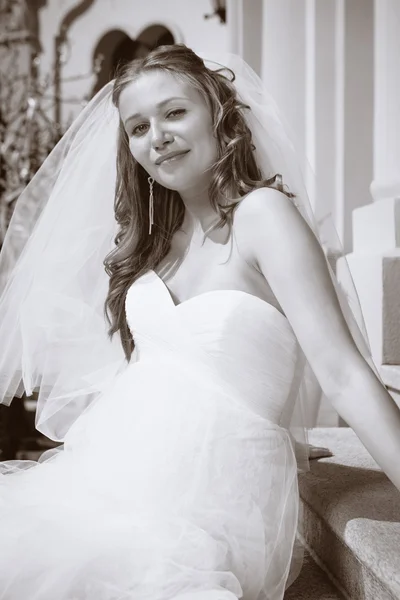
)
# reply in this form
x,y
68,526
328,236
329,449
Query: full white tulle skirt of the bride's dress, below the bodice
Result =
x,y
165,488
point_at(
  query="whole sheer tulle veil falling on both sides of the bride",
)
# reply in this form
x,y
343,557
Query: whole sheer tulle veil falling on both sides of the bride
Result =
x,y
53,283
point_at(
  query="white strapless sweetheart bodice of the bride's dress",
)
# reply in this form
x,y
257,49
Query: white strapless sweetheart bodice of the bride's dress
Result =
x,y
228,336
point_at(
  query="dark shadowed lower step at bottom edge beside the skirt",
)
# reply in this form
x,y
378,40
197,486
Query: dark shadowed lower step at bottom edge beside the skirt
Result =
x,y
312,584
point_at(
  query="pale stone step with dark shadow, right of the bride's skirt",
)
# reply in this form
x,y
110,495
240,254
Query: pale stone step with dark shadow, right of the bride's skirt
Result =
x,y
352,517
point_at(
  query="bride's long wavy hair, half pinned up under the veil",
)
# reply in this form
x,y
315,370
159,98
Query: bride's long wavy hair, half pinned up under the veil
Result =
x,y
136,251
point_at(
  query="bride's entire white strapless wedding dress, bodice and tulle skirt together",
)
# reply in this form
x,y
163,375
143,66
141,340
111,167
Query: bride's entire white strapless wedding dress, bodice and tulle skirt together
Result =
x,y
179,482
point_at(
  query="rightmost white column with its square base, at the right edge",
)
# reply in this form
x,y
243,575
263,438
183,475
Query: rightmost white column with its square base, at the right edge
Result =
x,y
375,261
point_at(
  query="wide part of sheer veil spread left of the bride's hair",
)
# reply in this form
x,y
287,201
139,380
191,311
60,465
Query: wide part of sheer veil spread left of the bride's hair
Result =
x,y
53,284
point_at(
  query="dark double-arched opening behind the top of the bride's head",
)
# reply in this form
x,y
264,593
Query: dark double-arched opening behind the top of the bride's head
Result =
x,y
116,48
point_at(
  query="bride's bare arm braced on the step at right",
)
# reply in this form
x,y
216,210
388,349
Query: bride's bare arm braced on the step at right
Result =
x,y
291,259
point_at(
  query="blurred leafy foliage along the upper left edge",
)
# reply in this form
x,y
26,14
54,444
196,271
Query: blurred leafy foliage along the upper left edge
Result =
x,y
27,134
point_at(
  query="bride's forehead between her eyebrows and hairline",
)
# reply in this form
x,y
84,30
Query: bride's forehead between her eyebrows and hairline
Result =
x,y
142,95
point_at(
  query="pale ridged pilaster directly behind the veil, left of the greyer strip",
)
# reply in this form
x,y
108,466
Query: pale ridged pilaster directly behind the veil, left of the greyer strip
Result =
x,y
300,69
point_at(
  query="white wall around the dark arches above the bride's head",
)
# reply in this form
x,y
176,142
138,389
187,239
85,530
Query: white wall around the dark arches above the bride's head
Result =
x,y
184,18
